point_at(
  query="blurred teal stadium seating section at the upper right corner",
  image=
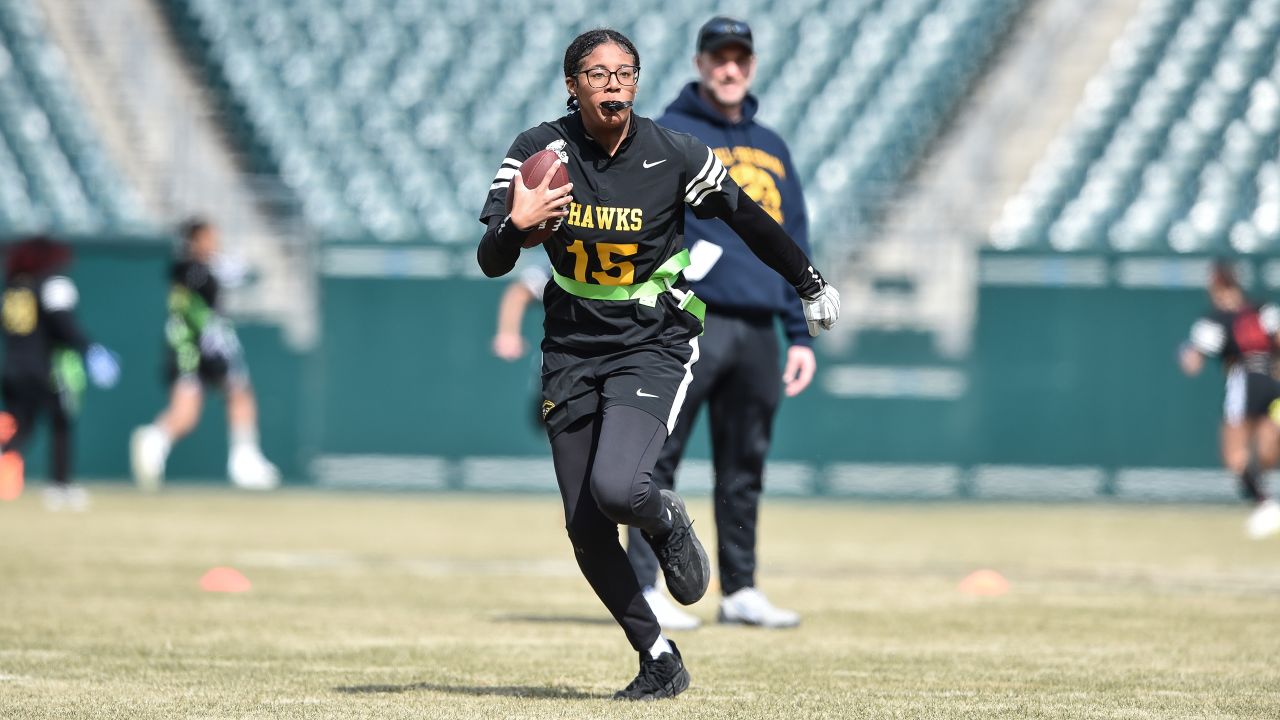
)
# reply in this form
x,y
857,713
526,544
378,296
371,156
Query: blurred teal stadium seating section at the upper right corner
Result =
x,y
1174,147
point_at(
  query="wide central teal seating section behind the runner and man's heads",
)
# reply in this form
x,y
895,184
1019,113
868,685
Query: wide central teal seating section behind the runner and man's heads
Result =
x,y
387,119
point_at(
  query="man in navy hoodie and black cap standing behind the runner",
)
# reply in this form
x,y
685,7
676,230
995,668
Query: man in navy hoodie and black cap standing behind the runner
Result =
x,y
738,373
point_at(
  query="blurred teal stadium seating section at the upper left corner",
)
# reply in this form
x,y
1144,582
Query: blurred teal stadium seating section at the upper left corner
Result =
x,y
54,174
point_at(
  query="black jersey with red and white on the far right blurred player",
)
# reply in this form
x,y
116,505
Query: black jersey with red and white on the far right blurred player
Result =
x,y
1240,339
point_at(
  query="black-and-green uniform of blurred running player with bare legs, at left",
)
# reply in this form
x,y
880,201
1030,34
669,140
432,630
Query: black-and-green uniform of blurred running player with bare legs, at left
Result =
x,y
202,343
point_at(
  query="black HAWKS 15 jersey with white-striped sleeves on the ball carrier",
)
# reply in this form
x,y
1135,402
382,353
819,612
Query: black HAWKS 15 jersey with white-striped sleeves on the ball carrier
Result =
x,y
627,220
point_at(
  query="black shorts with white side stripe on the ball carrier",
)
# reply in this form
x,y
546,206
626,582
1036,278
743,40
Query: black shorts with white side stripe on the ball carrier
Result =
x,y
651,377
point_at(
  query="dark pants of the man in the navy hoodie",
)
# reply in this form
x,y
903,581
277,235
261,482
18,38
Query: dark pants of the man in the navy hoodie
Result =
x,y
739,379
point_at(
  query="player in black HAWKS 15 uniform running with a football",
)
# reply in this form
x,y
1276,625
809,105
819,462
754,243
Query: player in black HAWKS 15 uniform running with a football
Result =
x,y
621,329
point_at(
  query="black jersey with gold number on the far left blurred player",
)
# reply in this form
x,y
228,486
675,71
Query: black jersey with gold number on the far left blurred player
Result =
x,y
39,320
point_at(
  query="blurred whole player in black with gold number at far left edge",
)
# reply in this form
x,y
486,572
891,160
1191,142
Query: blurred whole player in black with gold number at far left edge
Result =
x,y
45,366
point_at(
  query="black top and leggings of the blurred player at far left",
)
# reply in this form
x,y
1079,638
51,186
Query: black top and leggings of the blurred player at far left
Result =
x,y
43,362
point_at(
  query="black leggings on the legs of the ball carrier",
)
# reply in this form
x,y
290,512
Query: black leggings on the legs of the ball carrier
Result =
x,y
605,468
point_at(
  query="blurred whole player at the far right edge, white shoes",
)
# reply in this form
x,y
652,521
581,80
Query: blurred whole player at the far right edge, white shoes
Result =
x,y
1244,336
